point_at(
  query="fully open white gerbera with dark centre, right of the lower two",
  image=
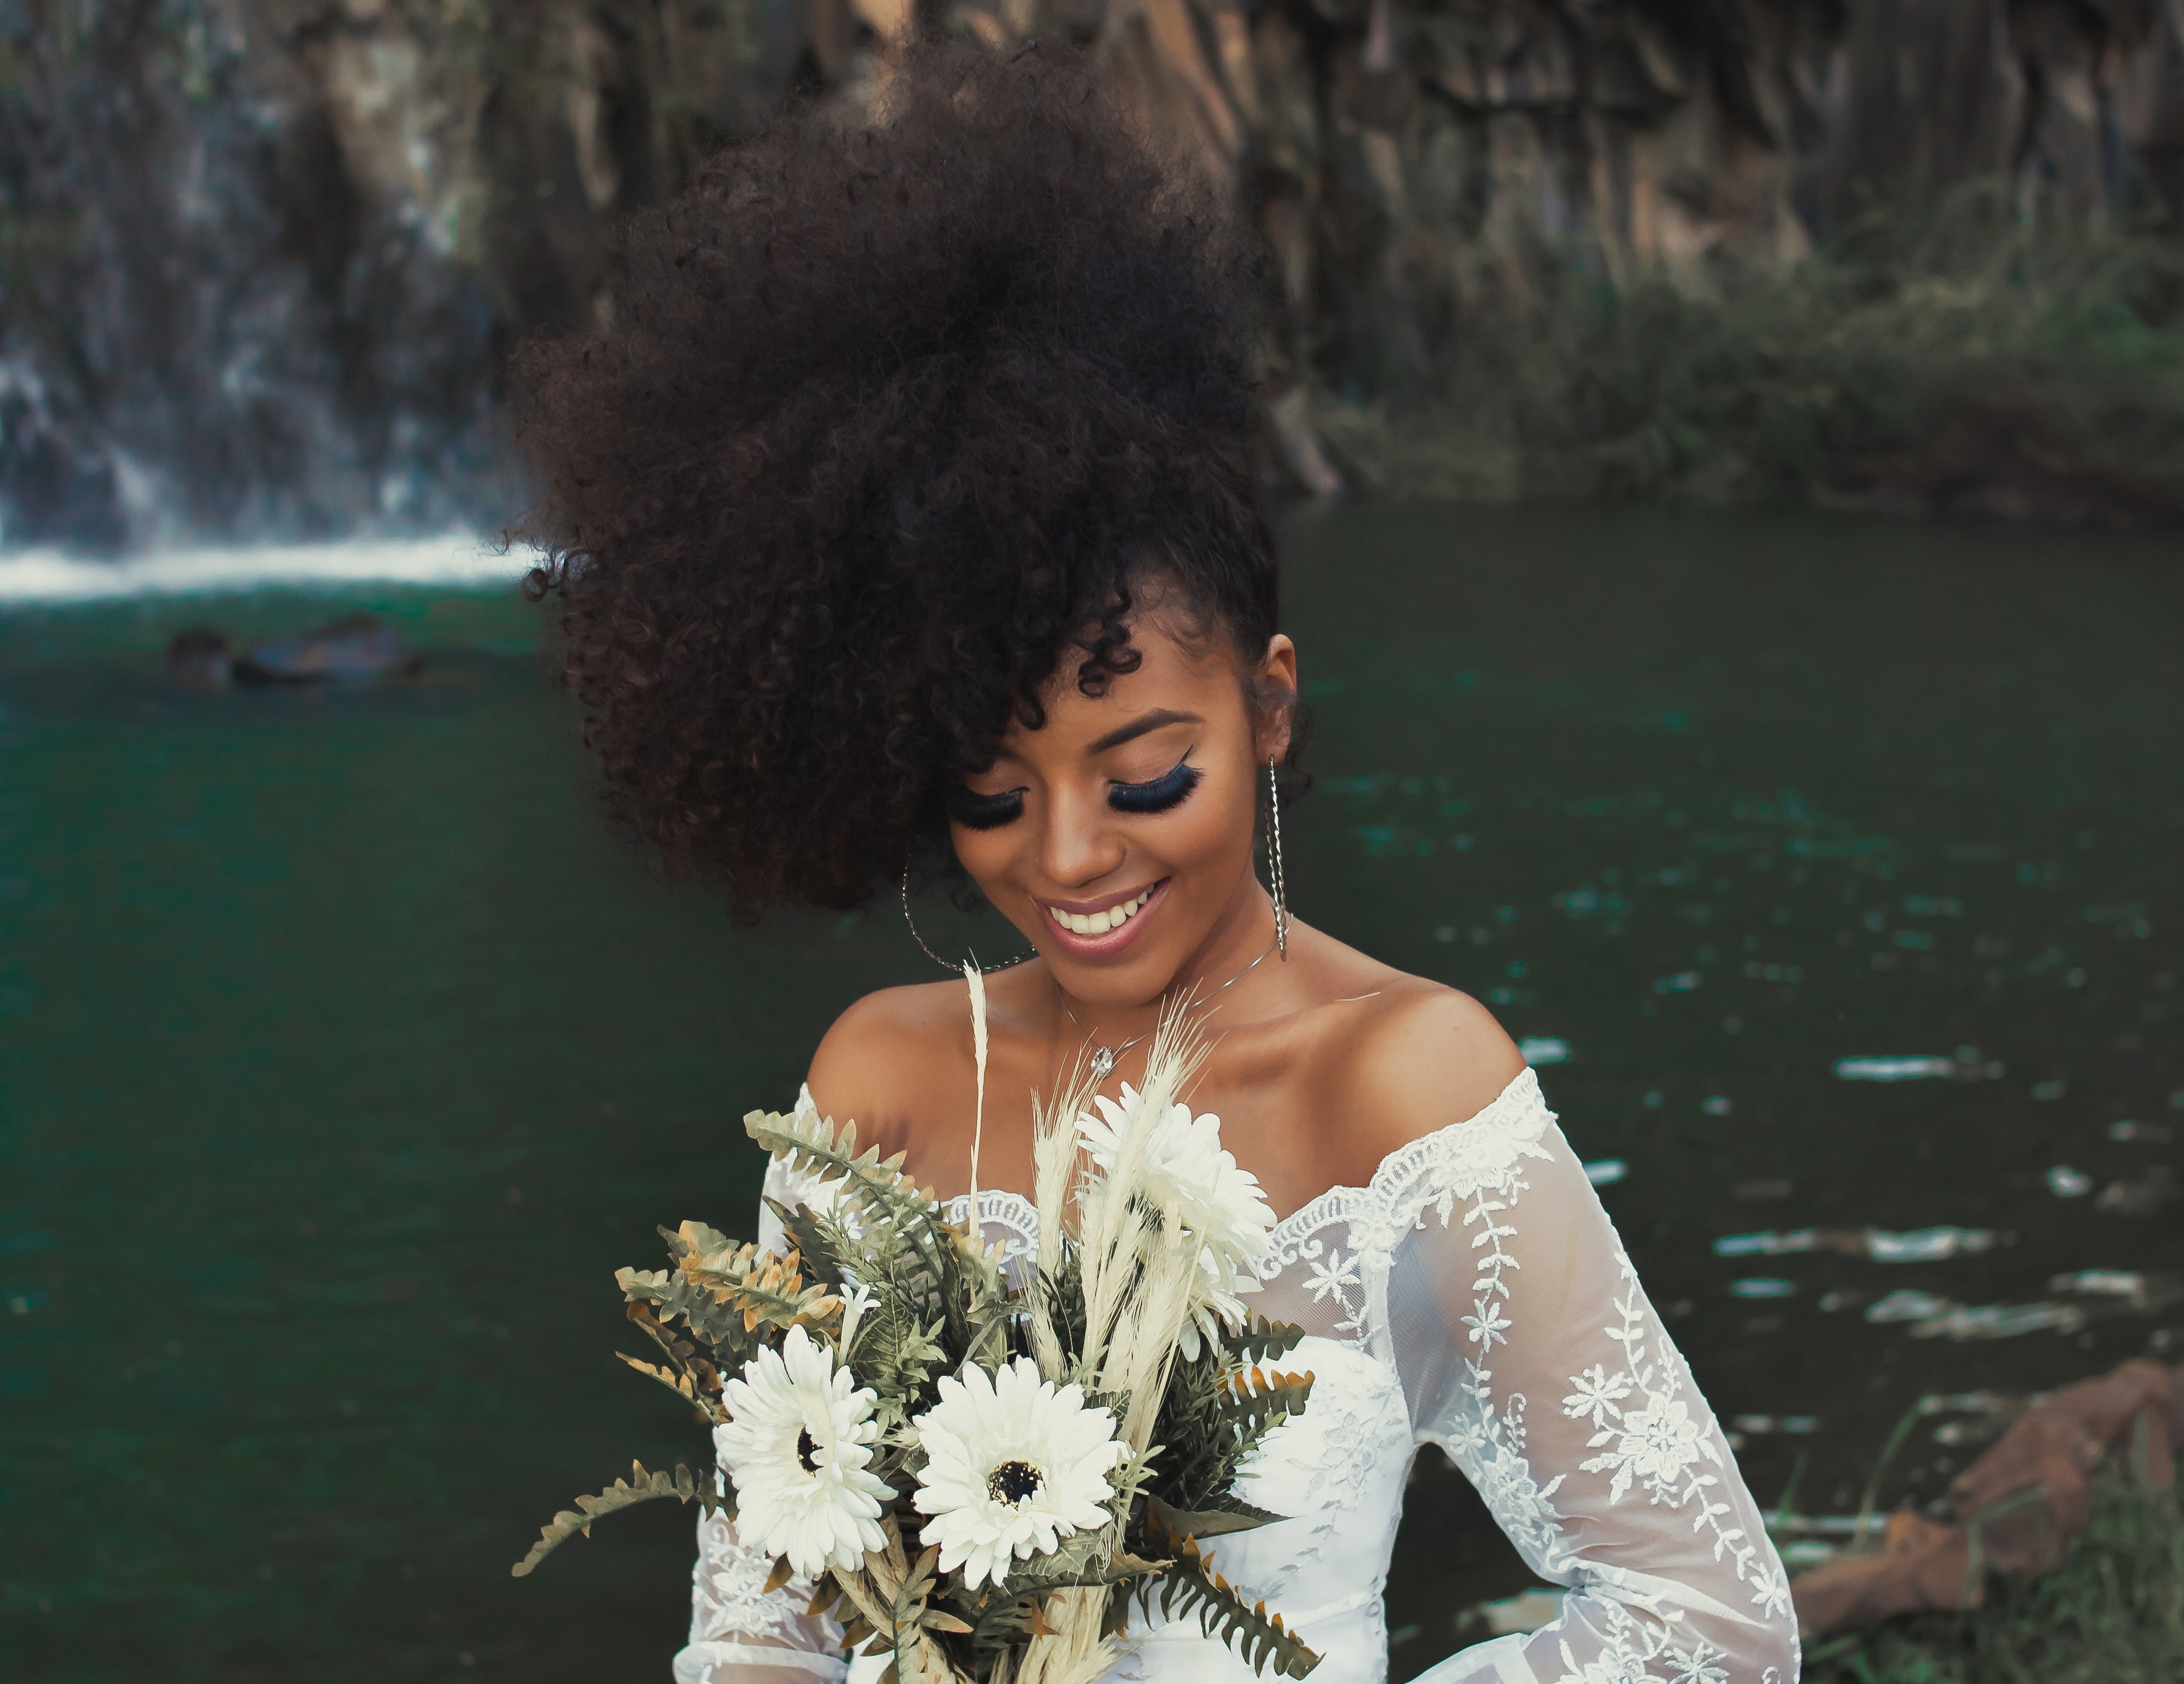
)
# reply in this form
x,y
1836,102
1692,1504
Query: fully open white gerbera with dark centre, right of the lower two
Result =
x,y
1014,1467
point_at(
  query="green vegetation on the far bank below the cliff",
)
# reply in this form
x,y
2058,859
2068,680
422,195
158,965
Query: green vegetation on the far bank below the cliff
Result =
x,y
1947,359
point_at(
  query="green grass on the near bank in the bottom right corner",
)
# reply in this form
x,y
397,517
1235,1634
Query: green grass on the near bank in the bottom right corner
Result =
x,y
2111,1615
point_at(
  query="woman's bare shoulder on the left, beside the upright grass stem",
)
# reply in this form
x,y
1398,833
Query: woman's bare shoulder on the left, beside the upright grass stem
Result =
x,y
886,1052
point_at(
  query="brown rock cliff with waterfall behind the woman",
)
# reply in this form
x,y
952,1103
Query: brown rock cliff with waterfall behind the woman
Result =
x,y
261,259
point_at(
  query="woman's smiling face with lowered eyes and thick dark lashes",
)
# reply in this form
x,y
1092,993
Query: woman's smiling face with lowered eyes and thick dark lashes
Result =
x,y
1119,833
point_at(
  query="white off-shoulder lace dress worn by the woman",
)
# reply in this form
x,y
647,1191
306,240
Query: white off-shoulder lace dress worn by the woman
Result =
x,y
1477,1298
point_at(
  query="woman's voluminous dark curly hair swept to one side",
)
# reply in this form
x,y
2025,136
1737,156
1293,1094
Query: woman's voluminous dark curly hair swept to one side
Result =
x,y
890,423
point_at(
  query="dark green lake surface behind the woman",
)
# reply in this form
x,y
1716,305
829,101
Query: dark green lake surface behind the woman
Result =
x,y
344,1054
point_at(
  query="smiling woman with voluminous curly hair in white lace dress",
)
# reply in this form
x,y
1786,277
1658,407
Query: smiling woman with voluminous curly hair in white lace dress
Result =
x,y
907,519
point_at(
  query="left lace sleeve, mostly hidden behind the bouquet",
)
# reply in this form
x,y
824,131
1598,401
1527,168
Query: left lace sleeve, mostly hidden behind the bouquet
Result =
x,y
739,1635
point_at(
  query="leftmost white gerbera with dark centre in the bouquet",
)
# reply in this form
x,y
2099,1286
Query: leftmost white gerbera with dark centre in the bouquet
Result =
x,y
798,1447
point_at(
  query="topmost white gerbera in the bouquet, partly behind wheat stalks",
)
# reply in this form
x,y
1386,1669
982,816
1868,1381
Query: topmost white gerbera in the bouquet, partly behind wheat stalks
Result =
x,y
1200,1187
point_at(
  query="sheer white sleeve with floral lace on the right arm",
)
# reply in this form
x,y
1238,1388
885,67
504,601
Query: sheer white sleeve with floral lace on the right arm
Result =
x,y
1530,1353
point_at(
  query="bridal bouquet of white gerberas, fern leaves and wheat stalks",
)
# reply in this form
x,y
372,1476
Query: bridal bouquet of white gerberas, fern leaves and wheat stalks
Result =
x,y
982,1482
